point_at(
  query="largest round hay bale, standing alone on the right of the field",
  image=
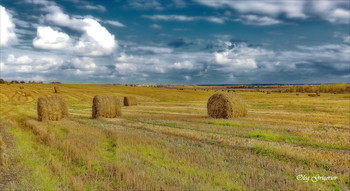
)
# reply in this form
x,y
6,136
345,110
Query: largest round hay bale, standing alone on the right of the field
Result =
x,y
222,105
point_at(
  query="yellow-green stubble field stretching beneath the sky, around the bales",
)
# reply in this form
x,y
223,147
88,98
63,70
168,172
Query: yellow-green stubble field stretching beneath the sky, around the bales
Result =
x,y
167,142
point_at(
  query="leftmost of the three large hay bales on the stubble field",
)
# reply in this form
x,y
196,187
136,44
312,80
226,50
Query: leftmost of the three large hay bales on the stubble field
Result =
x,y
52,108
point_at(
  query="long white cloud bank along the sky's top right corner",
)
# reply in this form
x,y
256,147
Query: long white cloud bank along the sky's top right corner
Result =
x,y
334,11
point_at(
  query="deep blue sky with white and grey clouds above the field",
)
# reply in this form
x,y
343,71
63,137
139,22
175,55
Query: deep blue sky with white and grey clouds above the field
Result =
x,y
175,41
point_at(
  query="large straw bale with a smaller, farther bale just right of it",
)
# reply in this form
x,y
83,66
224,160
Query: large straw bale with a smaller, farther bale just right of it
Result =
x,y
106,106
